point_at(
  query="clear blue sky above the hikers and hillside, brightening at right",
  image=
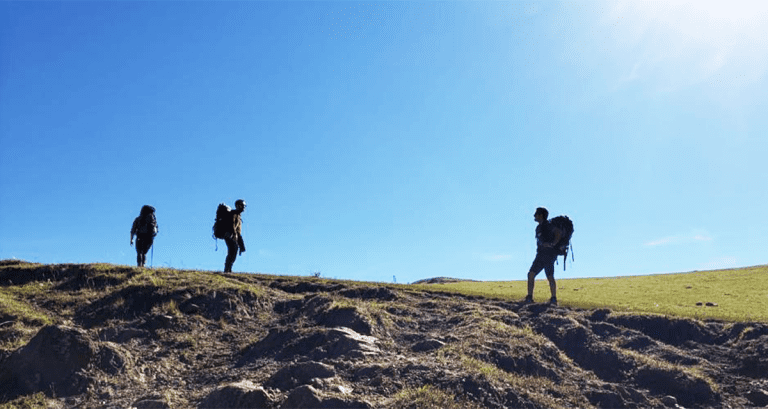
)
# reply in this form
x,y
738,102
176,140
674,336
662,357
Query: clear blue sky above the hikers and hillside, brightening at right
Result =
x,y
383,140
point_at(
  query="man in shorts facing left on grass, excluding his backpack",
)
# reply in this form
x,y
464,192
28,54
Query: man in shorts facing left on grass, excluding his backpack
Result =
x,y
547,236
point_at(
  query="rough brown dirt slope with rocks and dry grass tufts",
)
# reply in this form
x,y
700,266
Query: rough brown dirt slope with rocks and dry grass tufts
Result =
x,y
121,337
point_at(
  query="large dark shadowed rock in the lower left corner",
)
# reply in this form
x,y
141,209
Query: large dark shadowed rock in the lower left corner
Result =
x,y
52,362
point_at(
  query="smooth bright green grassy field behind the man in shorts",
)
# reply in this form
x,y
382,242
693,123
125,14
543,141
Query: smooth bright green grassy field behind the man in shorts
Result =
x,y
740,294
